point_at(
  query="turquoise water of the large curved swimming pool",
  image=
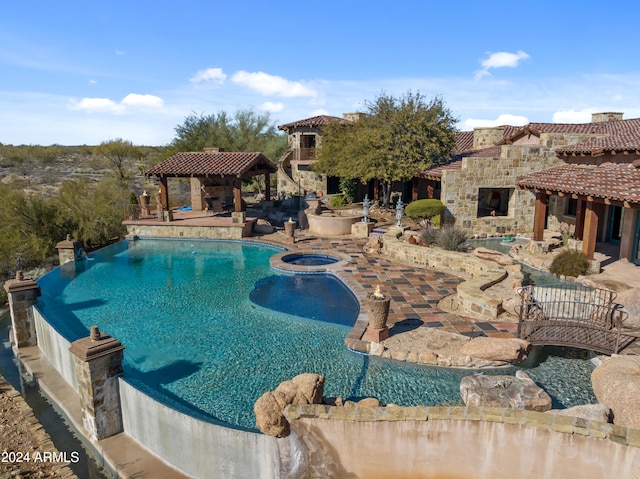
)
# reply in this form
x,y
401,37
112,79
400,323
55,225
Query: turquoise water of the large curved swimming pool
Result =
x,y
195,340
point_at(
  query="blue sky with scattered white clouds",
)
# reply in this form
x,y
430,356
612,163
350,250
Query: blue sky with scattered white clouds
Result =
x,y
86,72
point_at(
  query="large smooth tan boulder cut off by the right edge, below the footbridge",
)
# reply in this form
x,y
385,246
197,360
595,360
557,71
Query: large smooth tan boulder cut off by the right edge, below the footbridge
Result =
x,y
616,383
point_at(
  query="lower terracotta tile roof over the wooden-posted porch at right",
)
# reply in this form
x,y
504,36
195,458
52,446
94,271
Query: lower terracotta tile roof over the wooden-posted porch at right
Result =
x,y
615,181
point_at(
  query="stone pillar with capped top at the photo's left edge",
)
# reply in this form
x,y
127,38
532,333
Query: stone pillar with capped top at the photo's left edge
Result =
x,y
23,294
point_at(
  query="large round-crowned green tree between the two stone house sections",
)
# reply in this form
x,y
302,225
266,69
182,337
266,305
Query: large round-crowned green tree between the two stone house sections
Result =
x,y
392,141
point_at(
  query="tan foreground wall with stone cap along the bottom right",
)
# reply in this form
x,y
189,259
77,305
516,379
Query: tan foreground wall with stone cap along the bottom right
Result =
x,y
460,443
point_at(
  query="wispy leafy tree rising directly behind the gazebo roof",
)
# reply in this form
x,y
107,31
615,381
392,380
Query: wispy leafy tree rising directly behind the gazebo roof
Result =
x,y
244,131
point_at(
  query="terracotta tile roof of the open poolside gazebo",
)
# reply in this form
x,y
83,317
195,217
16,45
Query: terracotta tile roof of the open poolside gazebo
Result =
x,y
224,163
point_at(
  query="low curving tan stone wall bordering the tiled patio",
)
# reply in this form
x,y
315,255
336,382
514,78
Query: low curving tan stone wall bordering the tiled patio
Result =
x,y
471,298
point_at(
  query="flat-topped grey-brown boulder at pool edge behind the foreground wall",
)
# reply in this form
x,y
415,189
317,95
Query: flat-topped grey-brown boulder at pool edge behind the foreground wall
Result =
x,y
518,392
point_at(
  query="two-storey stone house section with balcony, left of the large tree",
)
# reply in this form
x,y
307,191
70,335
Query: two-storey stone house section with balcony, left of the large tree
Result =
x,y
295,175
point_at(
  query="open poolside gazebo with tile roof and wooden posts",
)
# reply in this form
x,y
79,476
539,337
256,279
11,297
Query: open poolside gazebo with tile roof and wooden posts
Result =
x,y
216,177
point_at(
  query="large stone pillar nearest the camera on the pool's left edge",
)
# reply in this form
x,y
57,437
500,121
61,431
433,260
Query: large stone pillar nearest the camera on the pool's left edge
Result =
x,y
98,362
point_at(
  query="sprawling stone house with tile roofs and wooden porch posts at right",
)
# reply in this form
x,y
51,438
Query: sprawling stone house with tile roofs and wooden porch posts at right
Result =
x,y
519,180
